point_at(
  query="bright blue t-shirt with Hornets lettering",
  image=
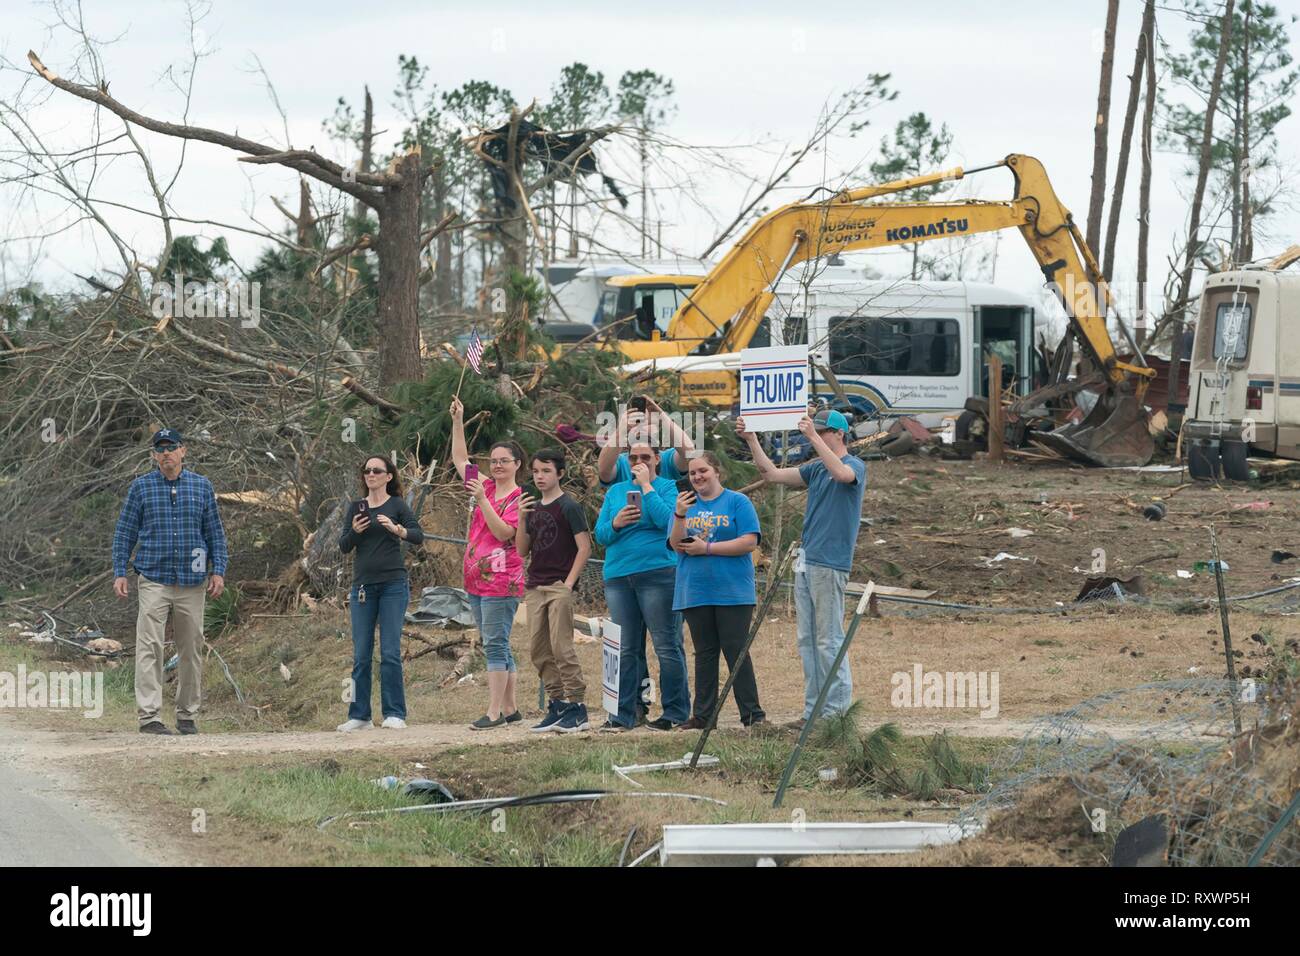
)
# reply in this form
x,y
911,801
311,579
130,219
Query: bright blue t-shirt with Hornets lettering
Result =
x,y
716,579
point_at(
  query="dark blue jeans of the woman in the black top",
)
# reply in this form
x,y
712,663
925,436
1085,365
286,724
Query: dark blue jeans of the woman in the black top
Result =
x,y
385,603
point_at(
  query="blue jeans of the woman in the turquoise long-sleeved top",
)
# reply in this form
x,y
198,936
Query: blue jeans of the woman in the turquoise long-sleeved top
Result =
x,y
640,602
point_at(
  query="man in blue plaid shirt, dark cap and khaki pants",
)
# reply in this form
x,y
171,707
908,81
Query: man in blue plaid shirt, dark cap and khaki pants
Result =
x,y
172,516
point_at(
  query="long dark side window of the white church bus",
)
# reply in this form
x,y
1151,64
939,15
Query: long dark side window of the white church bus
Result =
x,y
895,347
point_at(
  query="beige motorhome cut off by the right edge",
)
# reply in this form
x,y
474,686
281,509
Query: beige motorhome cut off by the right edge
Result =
x,y
1245,390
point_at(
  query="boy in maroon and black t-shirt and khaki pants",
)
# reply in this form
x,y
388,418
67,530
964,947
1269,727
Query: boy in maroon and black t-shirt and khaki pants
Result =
x,y
553,533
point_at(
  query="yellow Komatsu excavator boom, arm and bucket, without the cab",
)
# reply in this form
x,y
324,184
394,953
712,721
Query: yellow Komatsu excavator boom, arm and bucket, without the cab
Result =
x,y
723,313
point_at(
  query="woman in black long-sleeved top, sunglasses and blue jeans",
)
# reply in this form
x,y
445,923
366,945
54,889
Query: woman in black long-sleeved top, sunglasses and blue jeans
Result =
x,y
374,526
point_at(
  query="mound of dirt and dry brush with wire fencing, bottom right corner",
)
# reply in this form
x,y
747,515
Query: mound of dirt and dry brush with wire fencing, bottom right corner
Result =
x,y
1089,773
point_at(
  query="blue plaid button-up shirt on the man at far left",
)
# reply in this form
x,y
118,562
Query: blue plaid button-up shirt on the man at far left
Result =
x,y
177,527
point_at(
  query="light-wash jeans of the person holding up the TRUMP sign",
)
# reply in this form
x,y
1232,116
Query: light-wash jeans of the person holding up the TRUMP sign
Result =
x,y
820,613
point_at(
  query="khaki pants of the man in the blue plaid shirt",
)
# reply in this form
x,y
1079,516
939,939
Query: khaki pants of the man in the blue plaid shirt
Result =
x,y
185,607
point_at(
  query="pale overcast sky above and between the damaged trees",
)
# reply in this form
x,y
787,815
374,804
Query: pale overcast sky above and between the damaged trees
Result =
x,y
1011,77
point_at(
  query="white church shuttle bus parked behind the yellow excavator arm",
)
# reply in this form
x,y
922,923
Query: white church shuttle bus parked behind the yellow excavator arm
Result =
x,y
899,347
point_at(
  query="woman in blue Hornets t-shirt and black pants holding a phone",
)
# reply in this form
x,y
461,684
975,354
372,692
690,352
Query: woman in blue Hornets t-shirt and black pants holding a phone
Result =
x,y
714,533
